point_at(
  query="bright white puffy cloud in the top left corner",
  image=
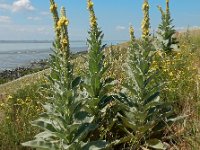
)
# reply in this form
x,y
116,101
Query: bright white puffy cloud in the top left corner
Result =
x,y
18,5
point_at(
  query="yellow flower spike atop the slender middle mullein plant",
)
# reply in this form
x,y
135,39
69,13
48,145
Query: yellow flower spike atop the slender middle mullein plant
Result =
x,y
93,19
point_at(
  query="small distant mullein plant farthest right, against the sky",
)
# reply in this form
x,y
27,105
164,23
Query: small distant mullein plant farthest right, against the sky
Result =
x,y
166,40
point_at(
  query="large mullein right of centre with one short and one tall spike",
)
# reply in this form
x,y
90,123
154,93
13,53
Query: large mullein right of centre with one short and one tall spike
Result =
x,y
146,116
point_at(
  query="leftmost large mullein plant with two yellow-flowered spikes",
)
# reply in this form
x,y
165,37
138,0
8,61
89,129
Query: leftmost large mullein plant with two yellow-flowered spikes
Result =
x,y
64,124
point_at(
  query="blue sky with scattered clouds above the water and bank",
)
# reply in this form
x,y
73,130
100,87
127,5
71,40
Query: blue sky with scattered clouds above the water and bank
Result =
x,y
31,20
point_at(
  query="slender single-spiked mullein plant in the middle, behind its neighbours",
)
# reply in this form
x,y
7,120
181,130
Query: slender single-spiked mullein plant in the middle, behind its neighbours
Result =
x,y
96,85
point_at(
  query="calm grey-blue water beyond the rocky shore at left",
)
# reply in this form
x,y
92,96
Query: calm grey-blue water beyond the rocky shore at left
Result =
x,y
18,54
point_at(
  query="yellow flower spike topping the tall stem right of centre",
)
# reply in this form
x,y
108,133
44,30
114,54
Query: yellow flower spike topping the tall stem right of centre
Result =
x,y
146,21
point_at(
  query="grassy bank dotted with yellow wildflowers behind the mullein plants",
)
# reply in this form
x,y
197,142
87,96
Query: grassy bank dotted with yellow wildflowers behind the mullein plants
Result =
x,y
183,89
